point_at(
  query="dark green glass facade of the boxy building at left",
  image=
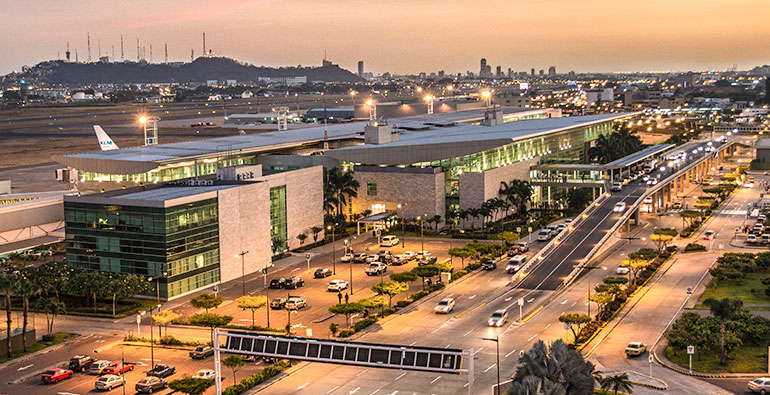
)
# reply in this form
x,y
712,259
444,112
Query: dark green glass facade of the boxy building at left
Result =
x,y
180,241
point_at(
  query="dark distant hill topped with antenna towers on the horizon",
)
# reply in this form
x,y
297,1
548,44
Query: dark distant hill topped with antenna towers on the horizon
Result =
x,y
199,70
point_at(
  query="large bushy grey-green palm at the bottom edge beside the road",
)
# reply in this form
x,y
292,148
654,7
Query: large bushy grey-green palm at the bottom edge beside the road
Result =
x,y
556,364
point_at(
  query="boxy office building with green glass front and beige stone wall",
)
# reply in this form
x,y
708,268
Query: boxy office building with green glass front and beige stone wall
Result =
x,y
188,237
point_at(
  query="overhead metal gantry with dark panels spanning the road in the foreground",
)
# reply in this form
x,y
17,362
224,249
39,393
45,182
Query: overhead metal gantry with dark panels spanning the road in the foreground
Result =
x,y
425,359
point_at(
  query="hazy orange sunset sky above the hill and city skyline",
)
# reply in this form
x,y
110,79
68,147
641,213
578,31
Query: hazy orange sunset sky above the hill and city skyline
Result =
x,y
401,36
